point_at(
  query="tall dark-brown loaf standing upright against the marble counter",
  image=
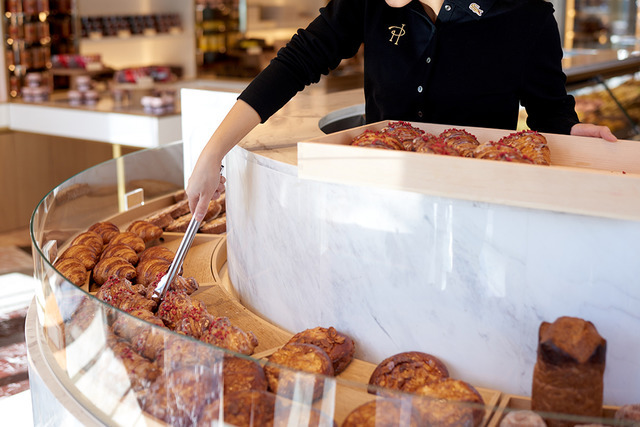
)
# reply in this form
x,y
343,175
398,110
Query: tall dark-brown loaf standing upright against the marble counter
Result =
x,y
568,374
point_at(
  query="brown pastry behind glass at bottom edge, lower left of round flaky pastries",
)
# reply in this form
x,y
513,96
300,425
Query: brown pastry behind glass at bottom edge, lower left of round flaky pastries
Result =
x,y
241,408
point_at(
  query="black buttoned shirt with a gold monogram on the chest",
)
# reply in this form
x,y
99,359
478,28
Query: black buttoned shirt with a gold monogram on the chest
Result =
x,y
473,67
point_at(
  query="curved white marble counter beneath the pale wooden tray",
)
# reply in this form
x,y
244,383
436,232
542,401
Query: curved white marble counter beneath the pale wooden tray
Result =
x,y
464,280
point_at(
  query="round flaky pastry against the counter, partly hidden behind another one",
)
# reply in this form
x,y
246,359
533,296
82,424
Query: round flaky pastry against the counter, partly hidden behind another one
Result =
x,y
337,345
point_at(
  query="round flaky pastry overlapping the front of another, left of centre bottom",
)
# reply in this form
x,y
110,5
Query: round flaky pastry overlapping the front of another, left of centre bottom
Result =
x,y
297,357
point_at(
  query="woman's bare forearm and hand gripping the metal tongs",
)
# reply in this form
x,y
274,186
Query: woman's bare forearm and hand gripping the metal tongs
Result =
x,y
205,182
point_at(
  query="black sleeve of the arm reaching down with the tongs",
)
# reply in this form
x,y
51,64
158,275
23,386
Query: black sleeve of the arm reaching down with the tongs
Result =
x,y
334,35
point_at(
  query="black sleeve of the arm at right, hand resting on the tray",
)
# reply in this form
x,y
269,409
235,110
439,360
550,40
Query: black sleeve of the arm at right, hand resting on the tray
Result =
x,y
549,107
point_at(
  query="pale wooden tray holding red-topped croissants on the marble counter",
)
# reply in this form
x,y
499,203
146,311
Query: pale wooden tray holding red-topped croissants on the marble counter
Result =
x,y
588,176
